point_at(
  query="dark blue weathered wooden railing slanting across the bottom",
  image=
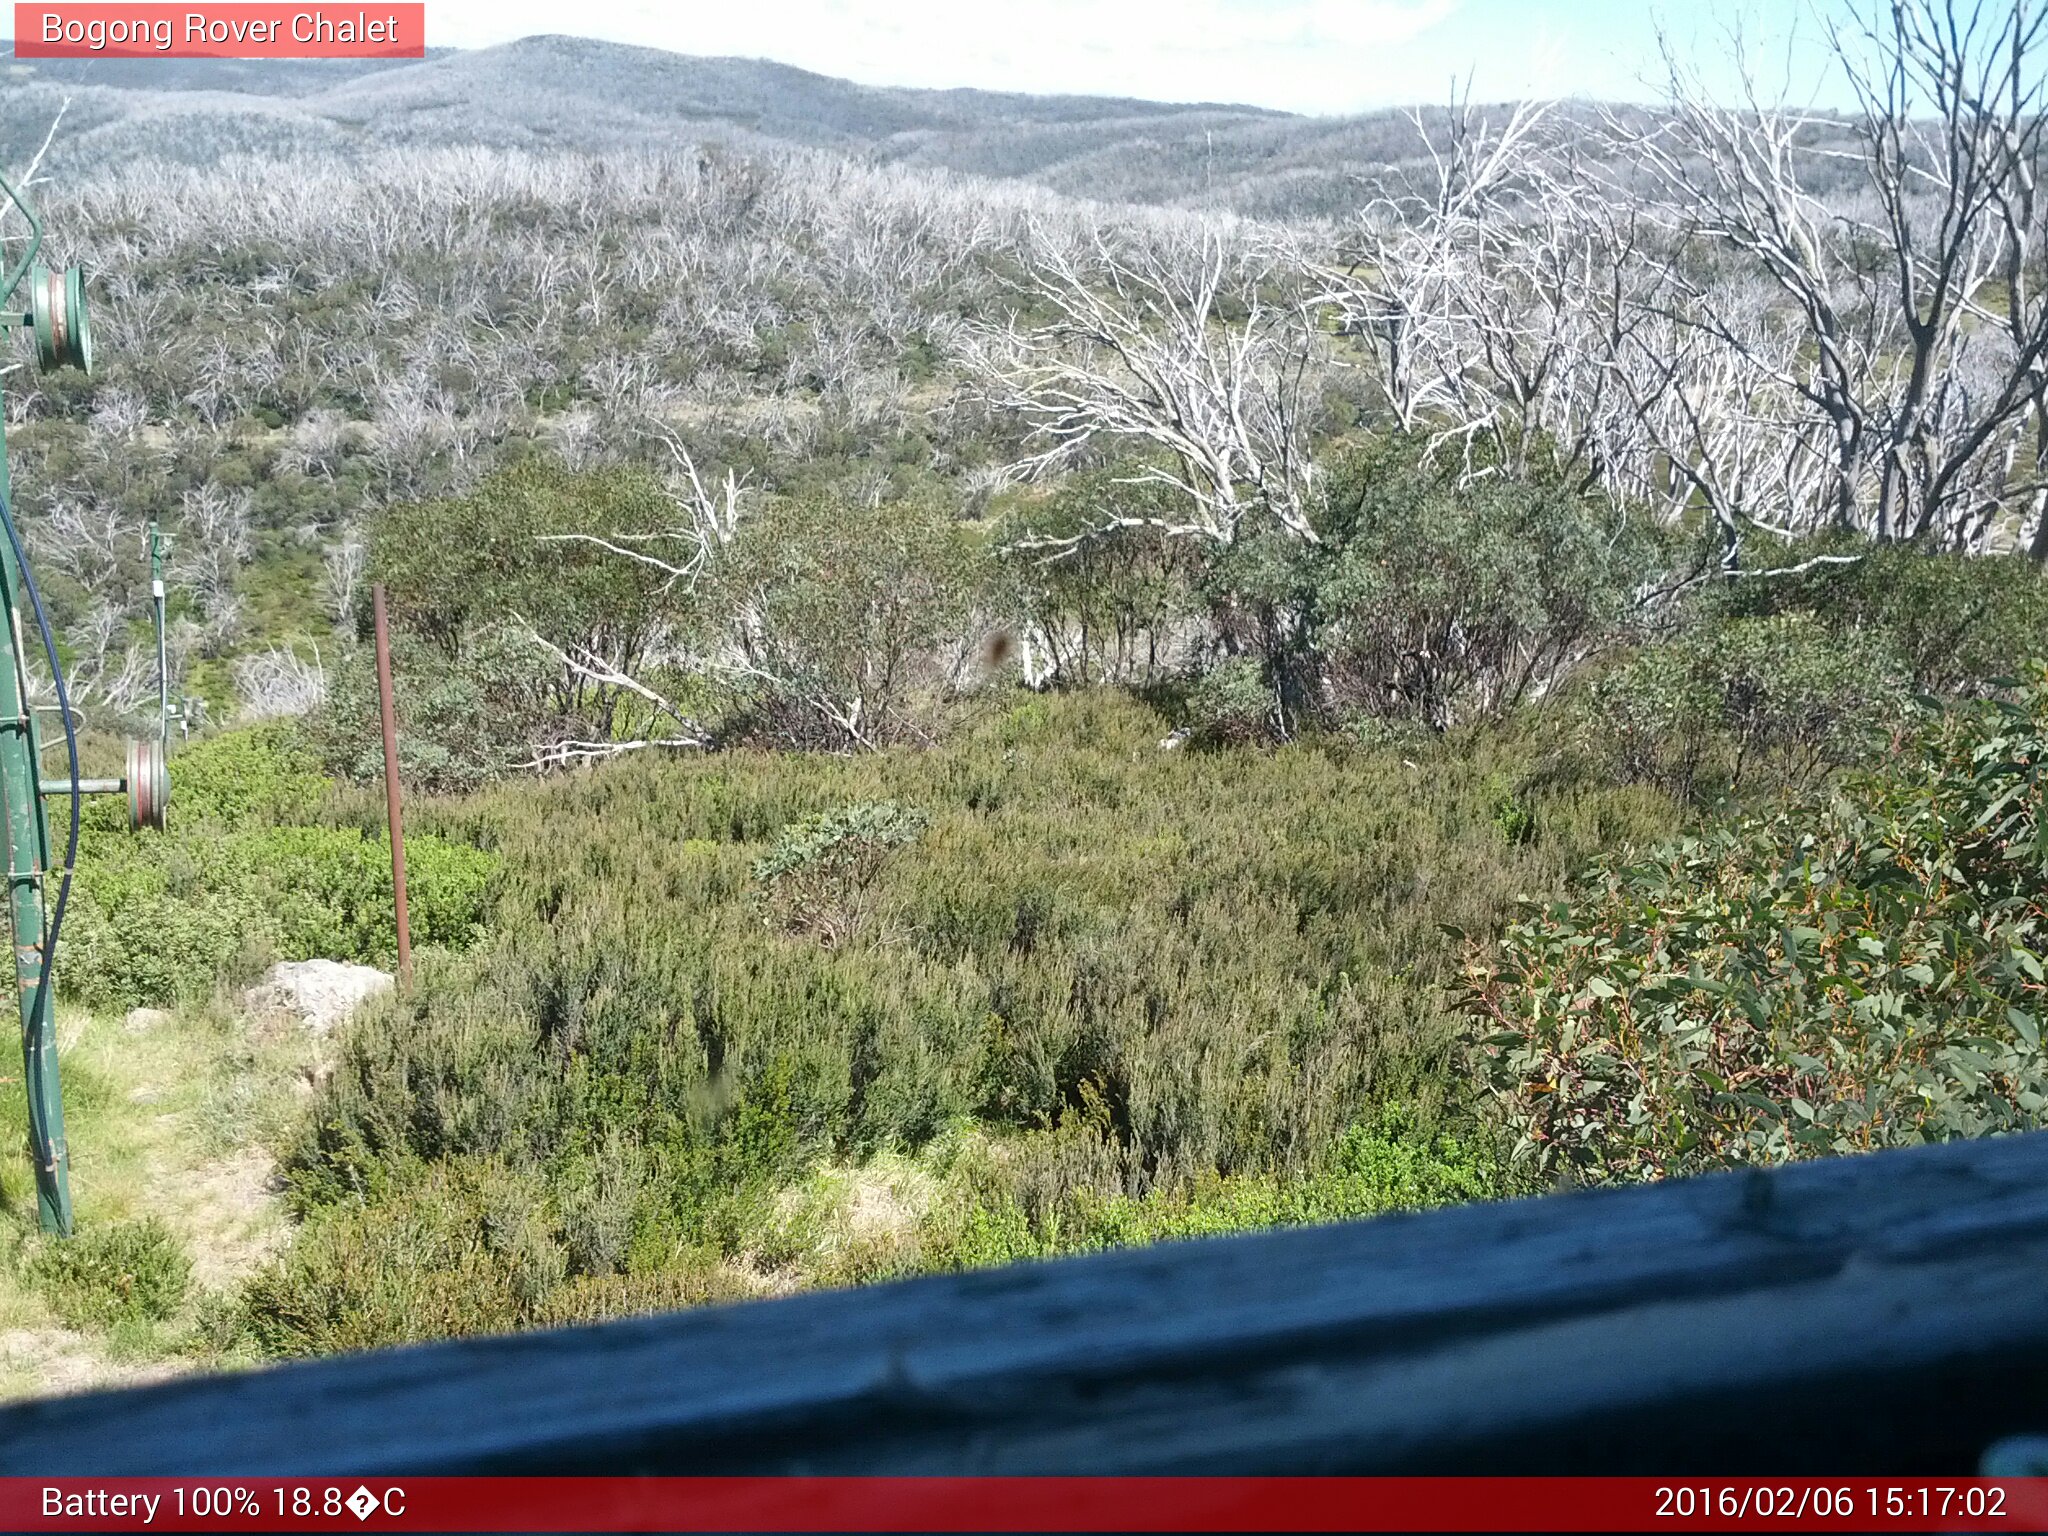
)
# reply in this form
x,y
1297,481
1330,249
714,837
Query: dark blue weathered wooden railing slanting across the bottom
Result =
x,y
1859,1316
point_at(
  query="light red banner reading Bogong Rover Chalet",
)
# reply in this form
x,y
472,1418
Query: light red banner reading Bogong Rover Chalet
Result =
x,y
220,32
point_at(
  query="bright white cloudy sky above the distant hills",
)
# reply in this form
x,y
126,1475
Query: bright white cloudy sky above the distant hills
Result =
x,y
1304,56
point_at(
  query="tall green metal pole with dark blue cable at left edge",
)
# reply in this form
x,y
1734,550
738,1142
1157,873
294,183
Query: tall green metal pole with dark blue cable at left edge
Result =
x,y
28,869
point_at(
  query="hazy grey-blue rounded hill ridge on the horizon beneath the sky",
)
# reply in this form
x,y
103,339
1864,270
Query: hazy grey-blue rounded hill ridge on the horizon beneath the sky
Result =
x,y
601,97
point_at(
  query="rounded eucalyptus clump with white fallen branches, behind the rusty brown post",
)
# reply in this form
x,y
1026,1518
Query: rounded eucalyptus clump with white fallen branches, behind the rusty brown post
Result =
x,y
826,622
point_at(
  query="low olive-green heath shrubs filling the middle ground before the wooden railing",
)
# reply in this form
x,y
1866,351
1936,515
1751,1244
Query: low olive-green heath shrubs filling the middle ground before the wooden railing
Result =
x,y
1093,992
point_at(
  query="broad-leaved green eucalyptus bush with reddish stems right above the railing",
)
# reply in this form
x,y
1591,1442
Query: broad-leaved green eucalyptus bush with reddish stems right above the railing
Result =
x,y
1857,972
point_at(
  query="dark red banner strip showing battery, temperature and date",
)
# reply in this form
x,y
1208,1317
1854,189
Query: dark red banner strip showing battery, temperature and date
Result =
x,y
1019,1504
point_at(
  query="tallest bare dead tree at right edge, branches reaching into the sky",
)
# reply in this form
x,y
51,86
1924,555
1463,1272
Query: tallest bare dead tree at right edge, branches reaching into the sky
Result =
x,y
1916,308
